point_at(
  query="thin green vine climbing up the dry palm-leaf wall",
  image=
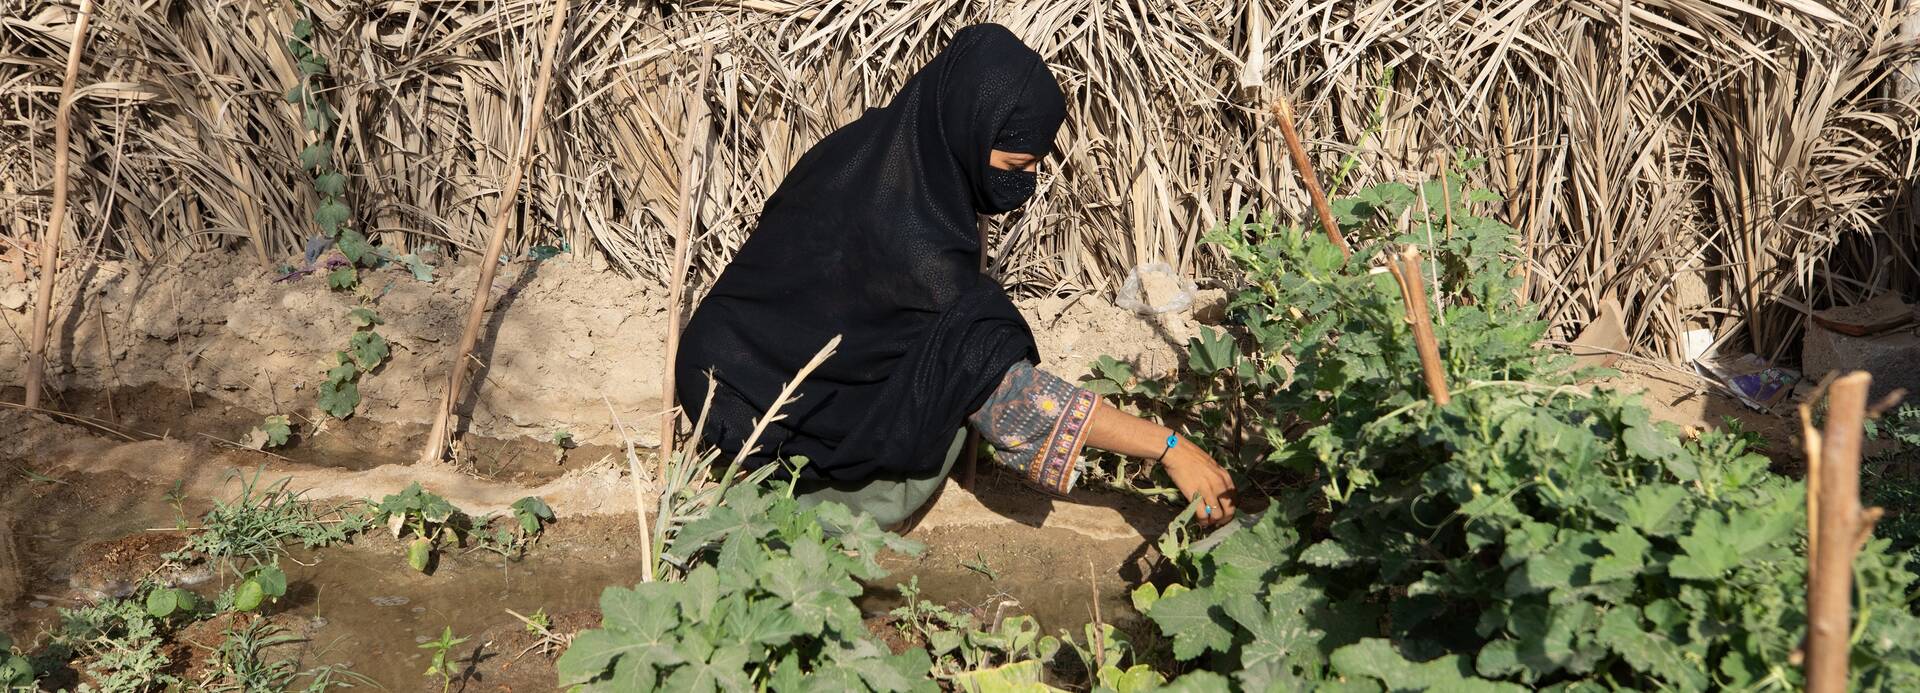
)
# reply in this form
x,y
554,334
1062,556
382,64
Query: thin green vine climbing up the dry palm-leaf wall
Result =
x,y
366,350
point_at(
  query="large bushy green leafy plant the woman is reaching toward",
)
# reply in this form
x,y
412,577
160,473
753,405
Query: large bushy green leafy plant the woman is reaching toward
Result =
x,y
1533,535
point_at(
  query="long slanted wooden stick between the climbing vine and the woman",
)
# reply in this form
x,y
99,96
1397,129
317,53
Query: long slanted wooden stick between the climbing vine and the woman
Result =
x,y
437,441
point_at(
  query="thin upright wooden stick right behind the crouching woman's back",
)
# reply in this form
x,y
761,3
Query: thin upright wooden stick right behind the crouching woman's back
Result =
x,y
692,147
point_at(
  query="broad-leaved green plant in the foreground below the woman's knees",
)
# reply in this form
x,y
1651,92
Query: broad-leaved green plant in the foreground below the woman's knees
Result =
x,y
765,604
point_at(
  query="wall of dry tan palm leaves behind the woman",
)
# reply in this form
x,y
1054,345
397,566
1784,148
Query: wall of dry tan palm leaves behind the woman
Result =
x,y
1710,164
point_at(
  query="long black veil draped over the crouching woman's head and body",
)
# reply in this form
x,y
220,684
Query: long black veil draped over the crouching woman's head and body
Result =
x,y
873,237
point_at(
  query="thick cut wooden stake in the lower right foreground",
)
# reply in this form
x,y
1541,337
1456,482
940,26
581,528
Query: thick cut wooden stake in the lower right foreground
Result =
x,y
1842,521
